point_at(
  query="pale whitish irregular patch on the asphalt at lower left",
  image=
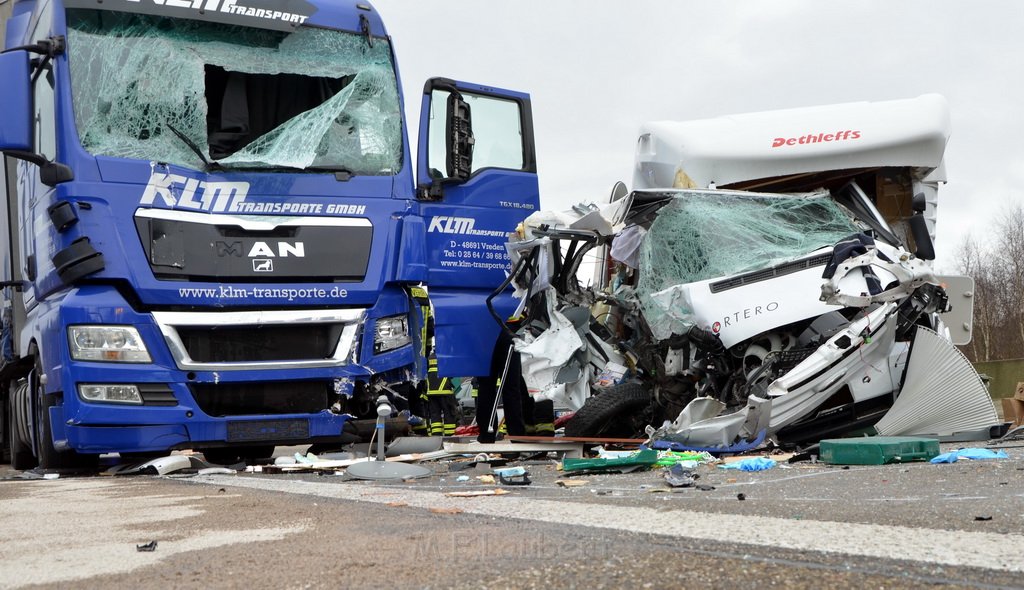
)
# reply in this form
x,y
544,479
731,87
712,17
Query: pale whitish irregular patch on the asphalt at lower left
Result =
x,y
73,539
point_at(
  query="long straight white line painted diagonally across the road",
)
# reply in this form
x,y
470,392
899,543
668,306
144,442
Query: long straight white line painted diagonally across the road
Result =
x,y
958,549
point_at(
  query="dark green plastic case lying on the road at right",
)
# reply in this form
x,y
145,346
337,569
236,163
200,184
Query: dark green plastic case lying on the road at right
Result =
x,y
878,450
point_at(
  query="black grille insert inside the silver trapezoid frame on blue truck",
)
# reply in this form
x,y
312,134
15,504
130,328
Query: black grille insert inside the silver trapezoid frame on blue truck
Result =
x,y
261,344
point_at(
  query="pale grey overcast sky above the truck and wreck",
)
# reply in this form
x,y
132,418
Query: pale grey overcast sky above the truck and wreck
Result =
x,y
598,70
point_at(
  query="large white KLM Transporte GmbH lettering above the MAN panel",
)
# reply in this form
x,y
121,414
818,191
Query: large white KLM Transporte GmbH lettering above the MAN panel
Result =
x,y
180,192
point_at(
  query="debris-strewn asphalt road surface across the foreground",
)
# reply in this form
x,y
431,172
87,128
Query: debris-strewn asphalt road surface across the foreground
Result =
x,y
904,526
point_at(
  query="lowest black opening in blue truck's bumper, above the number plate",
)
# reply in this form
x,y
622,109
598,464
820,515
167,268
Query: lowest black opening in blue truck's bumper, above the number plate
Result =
x,y
221,400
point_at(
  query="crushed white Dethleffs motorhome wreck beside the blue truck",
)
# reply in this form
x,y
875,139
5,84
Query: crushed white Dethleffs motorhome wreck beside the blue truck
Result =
x,y
770,277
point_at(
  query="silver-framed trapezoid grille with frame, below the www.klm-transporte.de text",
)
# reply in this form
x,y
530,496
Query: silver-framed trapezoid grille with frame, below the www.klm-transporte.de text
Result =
x,y
195,345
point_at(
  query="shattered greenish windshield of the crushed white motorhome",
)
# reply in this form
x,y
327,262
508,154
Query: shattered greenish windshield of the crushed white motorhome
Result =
x,y
705,235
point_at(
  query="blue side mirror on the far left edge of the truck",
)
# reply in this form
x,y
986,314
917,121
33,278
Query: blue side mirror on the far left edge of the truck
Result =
x,y
16,103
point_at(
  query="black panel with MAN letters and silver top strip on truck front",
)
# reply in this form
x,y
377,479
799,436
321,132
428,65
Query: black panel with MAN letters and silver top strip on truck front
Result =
x,y
186,245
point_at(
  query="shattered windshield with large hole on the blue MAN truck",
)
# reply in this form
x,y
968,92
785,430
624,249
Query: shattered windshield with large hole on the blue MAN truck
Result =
x,y
203,95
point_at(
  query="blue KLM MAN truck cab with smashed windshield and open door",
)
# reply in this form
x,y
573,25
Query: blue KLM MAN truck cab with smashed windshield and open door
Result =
x,y
214,225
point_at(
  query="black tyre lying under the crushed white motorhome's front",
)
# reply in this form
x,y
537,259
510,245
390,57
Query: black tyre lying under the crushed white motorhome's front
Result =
x,y
616,412
